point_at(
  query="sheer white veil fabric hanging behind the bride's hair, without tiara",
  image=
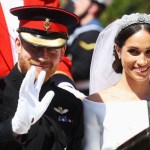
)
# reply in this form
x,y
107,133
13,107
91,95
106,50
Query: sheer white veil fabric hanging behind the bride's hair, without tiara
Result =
x,y
102,74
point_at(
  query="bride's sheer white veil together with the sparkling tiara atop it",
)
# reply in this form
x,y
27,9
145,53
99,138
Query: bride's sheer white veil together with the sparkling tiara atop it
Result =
x,y
102,75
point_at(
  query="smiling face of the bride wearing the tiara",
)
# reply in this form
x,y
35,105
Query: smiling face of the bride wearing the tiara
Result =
x,y
135,56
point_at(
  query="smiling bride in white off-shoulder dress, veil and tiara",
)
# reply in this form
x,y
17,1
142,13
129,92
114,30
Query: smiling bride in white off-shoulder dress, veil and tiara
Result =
x,y
115,114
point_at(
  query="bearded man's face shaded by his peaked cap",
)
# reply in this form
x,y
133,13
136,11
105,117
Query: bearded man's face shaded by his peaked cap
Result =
x,y
41,58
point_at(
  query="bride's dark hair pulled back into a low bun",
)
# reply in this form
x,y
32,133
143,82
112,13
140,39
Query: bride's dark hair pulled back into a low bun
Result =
x,y
122,37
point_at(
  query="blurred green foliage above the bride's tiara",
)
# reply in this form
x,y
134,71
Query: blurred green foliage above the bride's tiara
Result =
x,y
120,7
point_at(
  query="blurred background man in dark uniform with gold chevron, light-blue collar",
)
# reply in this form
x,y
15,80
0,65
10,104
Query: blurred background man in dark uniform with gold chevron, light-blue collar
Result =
x,y
82,41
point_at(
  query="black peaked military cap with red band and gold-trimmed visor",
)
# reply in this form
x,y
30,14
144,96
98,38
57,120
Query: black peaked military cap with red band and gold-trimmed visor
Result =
x,y
43,23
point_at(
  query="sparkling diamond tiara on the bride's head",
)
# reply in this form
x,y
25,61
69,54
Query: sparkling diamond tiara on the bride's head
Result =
x,y
128,20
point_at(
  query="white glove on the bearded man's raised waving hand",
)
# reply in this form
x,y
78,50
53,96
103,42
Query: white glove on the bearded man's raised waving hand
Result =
x,y
30,109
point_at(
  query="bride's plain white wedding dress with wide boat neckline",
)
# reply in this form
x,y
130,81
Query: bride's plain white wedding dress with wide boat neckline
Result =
x,y
108,125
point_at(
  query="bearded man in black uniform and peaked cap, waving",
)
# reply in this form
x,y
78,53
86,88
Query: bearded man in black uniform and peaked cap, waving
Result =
x,y
34,111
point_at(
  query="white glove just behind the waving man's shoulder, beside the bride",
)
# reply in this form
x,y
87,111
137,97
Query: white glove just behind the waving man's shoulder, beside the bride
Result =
x,y
70,88
